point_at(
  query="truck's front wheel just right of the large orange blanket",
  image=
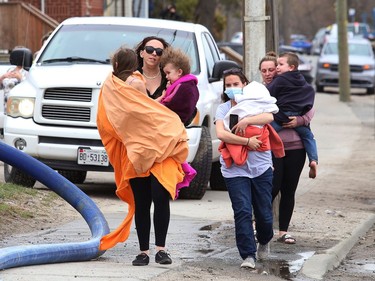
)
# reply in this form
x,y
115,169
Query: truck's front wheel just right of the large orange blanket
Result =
x,y
202,164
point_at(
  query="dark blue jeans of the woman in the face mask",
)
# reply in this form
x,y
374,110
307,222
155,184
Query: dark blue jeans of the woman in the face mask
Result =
x,y
247,194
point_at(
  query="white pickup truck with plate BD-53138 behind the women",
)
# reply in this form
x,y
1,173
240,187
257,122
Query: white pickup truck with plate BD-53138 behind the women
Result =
x,y
52,114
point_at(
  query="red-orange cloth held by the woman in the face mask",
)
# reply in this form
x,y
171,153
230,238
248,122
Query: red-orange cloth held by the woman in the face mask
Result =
x,y
239,153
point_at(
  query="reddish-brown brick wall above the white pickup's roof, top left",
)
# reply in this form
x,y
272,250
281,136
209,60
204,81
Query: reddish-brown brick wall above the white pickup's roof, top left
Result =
x,y
63,9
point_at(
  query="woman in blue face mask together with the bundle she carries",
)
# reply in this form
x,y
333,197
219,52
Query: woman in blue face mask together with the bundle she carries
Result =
x,y
249,182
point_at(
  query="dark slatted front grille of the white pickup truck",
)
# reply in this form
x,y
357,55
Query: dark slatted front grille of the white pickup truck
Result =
x,y
67,112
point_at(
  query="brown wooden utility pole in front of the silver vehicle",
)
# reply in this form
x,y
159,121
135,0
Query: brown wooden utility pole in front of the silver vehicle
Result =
x,y
344,72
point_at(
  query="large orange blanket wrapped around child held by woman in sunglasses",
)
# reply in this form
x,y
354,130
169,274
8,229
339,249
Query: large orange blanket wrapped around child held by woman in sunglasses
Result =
x,y
141,136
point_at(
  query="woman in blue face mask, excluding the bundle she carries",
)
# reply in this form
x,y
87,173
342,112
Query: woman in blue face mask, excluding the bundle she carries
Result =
x,y
250,184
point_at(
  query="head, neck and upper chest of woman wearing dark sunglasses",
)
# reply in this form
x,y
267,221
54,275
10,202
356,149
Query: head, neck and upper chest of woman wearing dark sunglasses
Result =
x,y
149,52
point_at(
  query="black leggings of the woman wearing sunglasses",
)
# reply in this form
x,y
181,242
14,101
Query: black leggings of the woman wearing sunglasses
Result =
x,y
148,190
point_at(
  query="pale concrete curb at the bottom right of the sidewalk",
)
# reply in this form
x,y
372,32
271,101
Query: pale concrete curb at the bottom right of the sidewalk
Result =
x,y
318,265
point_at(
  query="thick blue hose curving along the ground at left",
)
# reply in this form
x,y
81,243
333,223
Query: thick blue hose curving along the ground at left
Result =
x,y
54,253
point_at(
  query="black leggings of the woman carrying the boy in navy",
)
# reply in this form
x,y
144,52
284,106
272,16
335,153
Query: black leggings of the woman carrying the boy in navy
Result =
x,y
285,180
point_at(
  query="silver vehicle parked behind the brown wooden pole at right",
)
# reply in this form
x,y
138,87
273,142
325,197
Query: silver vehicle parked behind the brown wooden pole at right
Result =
x,y
361,63
